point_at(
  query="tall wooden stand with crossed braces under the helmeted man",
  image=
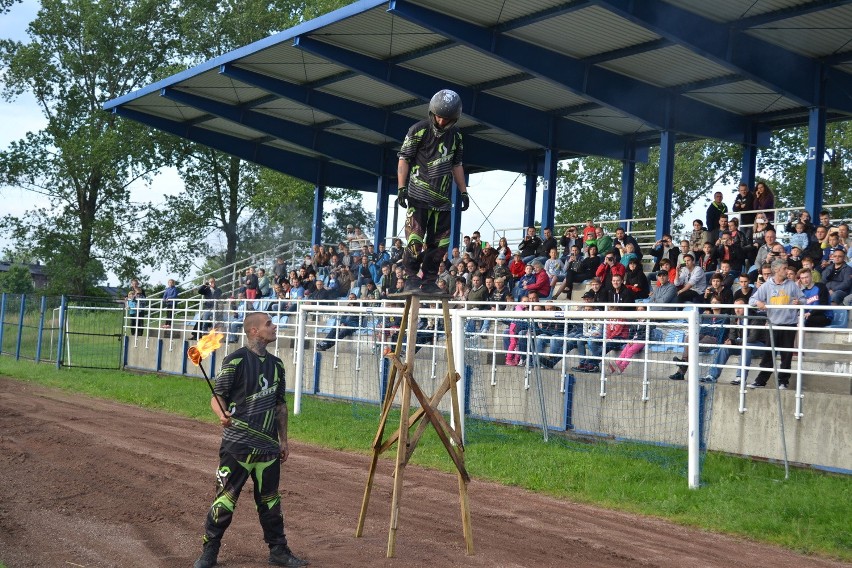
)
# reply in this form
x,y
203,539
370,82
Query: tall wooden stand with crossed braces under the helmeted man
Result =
x,y
427,413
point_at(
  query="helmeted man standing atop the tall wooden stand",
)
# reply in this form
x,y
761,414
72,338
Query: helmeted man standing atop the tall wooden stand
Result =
x,y
434,148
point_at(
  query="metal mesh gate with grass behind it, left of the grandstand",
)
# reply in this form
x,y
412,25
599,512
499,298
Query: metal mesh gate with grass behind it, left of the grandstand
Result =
x,y
91,332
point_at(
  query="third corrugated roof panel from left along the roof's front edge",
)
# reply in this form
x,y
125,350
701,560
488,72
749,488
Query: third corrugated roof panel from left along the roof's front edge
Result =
x,y
291,64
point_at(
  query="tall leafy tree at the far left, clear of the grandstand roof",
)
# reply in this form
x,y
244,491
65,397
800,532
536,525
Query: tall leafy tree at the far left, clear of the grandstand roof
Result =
x,y
82,53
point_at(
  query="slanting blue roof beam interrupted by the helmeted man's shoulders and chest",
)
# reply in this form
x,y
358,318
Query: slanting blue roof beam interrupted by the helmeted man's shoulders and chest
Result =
x,y
484,153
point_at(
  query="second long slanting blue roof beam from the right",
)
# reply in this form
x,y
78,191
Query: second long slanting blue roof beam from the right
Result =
x,y
604,86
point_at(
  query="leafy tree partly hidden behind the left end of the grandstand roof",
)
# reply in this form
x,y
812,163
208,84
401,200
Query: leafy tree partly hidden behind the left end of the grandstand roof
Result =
x,y
251,208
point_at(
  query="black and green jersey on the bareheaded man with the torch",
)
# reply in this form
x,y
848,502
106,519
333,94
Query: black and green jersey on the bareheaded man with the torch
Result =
x,y
252,386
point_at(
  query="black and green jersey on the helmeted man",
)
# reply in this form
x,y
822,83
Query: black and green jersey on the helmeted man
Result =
x,y
432,159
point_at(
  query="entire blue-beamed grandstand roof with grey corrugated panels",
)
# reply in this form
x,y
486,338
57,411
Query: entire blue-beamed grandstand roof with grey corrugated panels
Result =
x,y
330,100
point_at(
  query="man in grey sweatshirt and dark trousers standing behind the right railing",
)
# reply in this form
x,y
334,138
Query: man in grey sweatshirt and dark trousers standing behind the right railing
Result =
x,y
774,296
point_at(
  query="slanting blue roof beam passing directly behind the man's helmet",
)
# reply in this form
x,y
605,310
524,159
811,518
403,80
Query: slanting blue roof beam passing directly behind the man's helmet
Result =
x,y
505,115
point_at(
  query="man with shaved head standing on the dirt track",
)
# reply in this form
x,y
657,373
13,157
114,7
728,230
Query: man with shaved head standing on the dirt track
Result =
x,y
249,402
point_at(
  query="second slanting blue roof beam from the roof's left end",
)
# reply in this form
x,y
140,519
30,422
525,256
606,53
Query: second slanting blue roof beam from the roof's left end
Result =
x,y
367,157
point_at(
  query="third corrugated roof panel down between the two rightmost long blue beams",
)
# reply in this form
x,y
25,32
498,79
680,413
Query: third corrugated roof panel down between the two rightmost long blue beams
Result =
x,y
667,67
